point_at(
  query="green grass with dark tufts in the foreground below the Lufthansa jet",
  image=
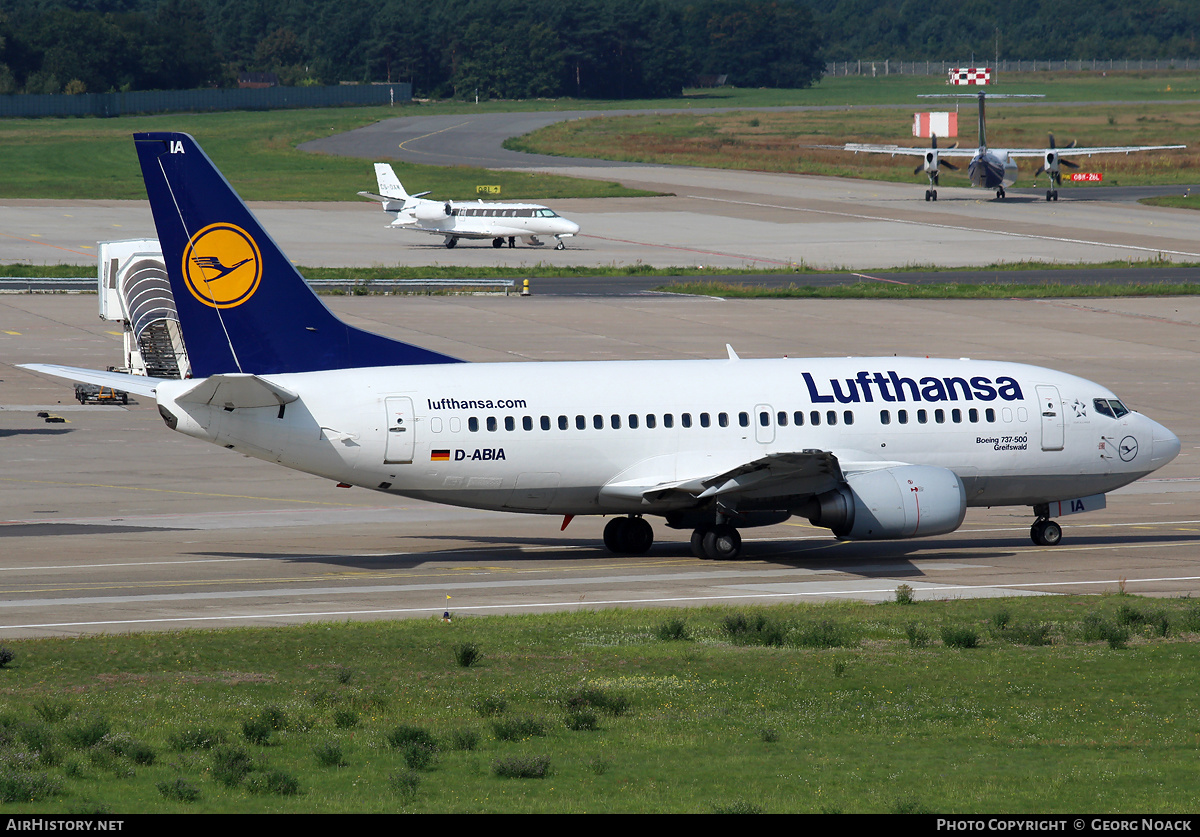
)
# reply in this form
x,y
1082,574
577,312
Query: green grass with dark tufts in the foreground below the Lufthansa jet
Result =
x,y
865,725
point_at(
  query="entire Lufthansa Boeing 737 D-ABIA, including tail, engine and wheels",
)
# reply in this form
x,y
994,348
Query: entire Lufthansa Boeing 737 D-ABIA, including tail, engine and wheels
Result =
x,y
869,448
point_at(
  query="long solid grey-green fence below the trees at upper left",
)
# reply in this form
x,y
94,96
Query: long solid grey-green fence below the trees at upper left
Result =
x,y
220,99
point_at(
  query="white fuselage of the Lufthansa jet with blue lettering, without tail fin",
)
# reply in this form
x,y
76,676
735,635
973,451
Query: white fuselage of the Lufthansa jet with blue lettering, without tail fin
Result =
x,y
551,437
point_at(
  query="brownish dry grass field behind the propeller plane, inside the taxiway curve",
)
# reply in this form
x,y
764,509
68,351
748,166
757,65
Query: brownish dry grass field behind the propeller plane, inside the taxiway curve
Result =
x,y
1121,110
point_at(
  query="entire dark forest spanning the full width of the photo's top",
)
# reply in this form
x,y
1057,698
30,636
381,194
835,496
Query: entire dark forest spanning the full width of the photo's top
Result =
x,y
549,49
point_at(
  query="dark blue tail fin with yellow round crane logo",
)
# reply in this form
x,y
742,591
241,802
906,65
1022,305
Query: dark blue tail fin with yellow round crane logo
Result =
x,y
243,306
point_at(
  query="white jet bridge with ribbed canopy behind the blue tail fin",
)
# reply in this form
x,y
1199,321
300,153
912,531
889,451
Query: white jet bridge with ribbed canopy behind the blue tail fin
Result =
x,y
135,291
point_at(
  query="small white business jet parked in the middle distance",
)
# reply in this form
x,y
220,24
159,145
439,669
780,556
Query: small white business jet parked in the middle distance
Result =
x,y
472,220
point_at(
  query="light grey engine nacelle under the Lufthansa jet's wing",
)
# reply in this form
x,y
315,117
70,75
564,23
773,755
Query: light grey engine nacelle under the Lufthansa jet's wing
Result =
x,y
892,503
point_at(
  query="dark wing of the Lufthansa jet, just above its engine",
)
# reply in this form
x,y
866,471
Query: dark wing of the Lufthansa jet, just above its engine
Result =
x,y
791,474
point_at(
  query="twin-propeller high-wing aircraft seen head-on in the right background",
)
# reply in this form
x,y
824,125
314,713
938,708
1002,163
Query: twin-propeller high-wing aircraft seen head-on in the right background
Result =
x,y
995,168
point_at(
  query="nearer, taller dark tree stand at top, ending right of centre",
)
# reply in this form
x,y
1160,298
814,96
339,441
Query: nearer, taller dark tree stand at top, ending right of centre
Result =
x,y
455,49
